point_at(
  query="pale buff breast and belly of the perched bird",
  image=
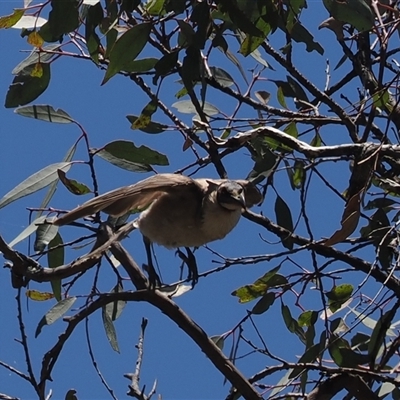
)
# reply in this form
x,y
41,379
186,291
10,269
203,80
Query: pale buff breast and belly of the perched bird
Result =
x,y
187,222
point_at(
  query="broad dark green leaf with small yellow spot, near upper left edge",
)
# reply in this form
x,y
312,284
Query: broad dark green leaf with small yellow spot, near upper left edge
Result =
x,y
26,88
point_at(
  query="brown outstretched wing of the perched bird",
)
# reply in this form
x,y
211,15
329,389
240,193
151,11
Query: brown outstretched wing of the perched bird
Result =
x,y
137,196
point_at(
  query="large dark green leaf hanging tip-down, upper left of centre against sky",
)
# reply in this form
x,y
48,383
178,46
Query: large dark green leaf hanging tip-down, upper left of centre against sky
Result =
x,y
127,48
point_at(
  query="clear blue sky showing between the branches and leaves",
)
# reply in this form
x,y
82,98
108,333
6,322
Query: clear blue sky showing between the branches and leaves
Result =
x,y
181,370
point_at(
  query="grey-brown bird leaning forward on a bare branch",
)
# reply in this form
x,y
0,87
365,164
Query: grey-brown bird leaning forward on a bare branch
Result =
x,y
176,210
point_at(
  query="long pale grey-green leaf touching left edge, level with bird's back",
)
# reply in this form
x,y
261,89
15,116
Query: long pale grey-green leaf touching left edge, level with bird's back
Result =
x,y
35,182
